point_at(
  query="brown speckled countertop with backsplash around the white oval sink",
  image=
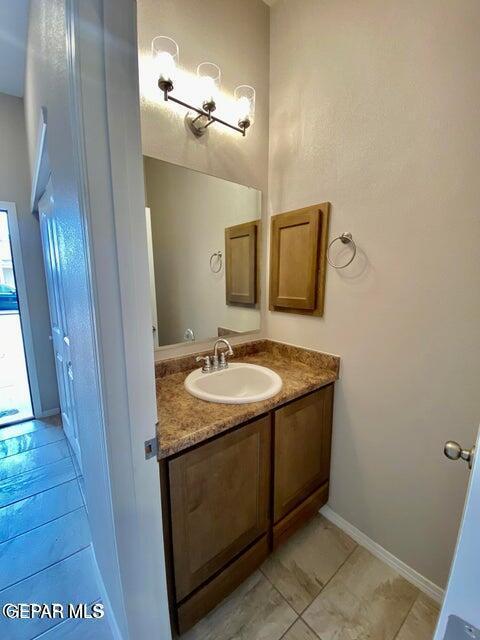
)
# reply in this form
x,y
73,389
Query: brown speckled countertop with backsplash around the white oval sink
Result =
x,y
185,420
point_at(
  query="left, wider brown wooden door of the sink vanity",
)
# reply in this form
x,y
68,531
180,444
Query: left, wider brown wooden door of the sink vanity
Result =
x,y
219,502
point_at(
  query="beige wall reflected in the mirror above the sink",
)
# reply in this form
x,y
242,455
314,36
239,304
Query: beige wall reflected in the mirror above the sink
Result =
x,y
189,214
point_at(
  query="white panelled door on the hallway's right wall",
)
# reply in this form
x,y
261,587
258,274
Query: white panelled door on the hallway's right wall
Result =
x,y
58,318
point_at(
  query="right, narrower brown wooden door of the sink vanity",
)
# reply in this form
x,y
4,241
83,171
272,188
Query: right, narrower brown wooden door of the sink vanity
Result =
x,y
303,432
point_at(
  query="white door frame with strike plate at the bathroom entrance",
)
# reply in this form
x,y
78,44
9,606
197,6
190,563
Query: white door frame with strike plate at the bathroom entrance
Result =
x,y
105,116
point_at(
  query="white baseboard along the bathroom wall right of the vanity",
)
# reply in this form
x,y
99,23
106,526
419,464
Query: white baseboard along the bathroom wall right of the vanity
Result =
x,y
422,583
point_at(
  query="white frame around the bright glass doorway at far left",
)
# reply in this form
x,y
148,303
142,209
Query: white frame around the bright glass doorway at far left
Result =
x,y
16,246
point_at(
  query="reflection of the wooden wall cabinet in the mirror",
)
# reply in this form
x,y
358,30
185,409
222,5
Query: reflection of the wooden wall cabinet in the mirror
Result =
x,y
241,263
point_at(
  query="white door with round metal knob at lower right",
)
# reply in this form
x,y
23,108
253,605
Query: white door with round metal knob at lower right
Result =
x,y
460,614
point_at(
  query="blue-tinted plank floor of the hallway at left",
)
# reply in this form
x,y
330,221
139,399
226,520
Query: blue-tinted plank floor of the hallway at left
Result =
x,y
45,544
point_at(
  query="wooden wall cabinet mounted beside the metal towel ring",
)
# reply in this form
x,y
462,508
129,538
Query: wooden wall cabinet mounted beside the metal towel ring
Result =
x,y
298,252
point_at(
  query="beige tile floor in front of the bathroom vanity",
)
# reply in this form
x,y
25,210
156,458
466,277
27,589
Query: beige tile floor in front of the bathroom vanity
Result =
x,y
321,586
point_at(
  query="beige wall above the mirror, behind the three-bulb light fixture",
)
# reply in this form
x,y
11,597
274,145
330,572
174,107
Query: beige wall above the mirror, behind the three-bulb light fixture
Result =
x,y
208,31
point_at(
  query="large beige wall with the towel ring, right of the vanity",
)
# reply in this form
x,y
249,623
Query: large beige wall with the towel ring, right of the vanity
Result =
x,y
374,107
